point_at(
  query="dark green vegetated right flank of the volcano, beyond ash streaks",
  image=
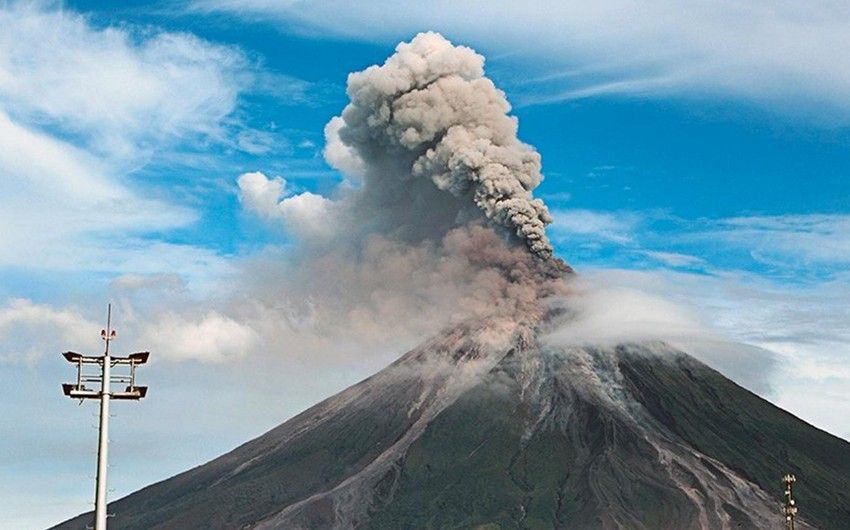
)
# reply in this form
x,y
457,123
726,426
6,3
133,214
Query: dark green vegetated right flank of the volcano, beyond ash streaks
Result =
x,y
751,436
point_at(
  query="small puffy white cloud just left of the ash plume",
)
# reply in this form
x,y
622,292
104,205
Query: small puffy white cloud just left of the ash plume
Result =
x,y
305,214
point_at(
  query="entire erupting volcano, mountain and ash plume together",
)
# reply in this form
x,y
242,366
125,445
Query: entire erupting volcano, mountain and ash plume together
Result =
x,y
494,423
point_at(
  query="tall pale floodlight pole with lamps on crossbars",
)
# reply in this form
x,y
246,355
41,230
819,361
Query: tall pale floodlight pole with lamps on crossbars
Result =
x,y
79,390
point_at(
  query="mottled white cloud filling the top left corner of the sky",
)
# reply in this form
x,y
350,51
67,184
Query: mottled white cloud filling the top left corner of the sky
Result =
x,y
122,90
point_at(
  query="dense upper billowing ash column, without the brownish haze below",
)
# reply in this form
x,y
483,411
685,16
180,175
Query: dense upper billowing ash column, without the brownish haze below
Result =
x,y
439,147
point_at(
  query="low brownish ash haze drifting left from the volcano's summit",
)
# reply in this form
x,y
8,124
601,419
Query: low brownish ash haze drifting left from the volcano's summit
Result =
x,y
386,293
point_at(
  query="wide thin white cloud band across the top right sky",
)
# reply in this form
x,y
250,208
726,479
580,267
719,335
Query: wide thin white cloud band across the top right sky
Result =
x,y
763,51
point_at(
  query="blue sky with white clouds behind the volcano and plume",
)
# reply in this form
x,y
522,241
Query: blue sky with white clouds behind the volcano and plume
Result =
x,y
695,158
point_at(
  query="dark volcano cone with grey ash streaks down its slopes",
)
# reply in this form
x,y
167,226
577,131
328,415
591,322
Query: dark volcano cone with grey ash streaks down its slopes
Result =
x,y
632,437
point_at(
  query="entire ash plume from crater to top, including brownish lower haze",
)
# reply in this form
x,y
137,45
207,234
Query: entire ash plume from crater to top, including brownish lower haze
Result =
x,y
436,223
